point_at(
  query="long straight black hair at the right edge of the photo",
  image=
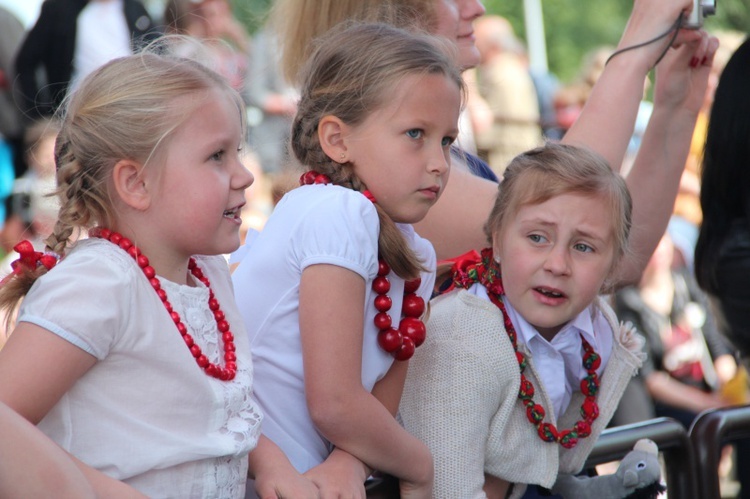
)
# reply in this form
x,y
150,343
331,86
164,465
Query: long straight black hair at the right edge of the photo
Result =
x,y
725,178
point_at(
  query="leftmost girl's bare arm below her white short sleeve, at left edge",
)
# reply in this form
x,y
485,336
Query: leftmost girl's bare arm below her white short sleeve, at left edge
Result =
x,y
37,368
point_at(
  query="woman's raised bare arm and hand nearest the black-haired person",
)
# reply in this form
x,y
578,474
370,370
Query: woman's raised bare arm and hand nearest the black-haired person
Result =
x,y
655,176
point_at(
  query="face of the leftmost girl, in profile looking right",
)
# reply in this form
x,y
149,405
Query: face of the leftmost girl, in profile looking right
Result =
x,y
202,181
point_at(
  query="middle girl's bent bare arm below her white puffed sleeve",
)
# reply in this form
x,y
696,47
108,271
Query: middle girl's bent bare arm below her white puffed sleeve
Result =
x,y
331,321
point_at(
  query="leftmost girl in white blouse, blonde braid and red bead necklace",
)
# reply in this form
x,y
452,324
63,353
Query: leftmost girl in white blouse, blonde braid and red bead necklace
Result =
x,y
141,368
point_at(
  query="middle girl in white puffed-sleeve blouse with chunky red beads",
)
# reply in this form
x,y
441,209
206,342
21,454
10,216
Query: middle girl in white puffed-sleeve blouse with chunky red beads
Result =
x,y
333,289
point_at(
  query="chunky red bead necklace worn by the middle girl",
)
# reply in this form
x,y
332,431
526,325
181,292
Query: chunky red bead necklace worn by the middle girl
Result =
x,y
411,331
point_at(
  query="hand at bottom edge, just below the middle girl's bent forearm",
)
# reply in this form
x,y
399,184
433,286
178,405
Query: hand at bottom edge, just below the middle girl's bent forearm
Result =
x,y
341,475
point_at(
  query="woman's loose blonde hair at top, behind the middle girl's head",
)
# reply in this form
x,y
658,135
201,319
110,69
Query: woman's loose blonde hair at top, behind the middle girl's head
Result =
x,y
297,23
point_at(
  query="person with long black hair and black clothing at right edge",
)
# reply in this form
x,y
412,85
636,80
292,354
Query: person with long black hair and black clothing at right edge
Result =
x,y
722,254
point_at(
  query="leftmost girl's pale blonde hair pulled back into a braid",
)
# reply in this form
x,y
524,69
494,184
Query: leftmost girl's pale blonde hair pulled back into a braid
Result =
x,y
126,109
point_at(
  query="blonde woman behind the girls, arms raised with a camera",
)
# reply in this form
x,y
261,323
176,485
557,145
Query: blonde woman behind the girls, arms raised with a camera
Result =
x,y
455,224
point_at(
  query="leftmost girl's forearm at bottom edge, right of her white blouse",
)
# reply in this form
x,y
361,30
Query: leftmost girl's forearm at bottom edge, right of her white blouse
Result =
x,y
274,475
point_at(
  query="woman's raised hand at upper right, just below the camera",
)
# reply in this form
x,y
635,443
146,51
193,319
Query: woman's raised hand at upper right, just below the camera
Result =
x,y
682,76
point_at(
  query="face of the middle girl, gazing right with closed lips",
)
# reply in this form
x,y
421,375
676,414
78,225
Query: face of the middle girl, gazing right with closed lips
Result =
x,y
402,151
